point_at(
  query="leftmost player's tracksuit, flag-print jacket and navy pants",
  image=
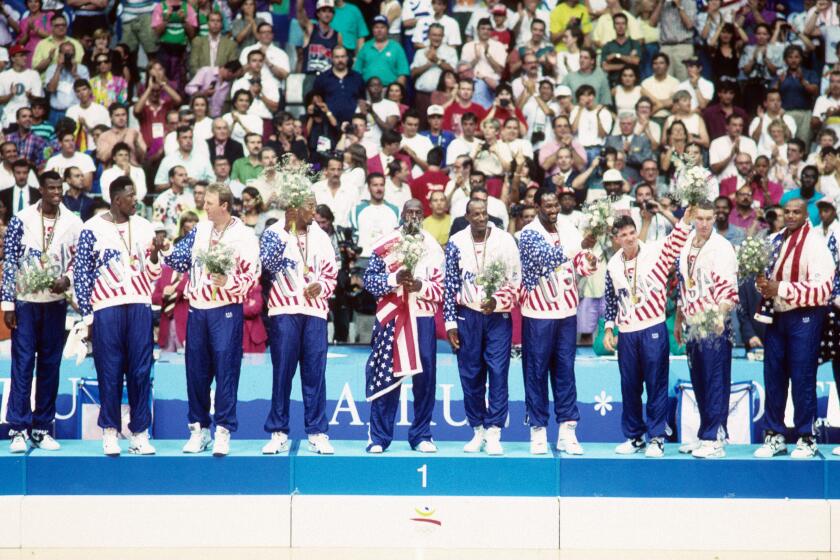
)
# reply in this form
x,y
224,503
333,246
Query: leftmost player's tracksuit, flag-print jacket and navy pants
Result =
x,y
39,336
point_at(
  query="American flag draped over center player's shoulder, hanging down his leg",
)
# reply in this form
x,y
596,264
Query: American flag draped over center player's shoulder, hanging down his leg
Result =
x,y
395,352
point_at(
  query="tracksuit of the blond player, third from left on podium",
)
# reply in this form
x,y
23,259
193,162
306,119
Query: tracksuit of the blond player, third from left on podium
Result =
x,y
215,323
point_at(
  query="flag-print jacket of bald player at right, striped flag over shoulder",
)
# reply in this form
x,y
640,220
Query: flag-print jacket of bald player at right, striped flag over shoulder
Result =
x,y
804,269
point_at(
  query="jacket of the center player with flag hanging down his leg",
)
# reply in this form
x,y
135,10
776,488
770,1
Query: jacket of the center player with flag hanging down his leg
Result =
x,y
380,278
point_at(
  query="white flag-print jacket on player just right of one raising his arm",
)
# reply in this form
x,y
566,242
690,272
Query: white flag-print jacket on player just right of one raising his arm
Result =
x,y
713,279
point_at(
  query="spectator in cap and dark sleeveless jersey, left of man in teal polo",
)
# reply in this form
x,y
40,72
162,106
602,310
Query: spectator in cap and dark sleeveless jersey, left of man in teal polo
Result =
x,y
320,40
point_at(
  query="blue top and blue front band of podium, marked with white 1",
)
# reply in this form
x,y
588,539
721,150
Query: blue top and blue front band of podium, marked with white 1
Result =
x,y
79,468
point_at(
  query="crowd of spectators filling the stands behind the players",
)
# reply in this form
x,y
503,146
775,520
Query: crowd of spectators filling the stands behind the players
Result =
x,y
429,99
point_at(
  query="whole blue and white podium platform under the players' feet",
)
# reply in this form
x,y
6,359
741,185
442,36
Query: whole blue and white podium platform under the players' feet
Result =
x,y
403,498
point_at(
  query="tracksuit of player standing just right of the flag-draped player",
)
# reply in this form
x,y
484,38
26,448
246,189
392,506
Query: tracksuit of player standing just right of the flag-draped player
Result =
x,y
484,339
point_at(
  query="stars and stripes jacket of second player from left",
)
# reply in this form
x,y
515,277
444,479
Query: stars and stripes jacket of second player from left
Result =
x,y
110,270
